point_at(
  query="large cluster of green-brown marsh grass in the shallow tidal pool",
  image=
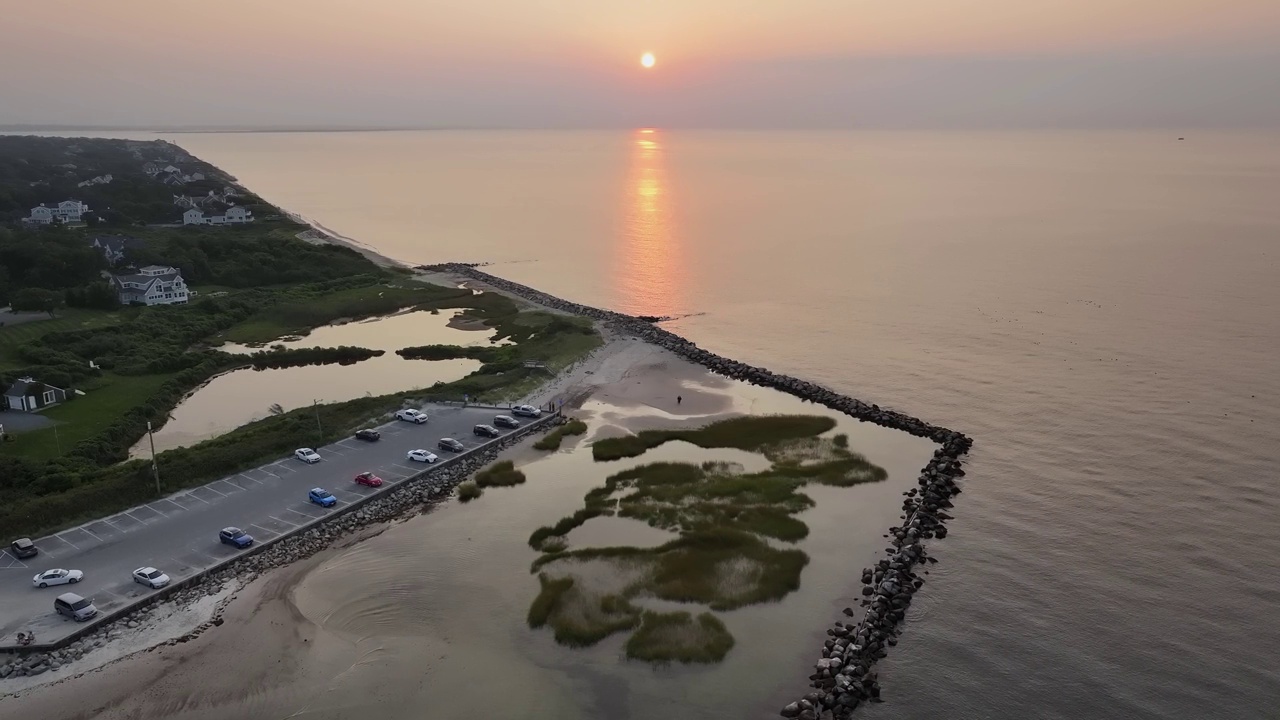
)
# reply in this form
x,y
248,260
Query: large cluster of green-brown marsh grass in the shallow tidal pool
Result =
x,y
726,528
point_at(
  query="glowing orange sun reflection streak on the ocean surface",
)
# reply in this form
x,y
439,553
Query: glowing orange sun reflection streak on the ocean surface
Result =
x,y
651,268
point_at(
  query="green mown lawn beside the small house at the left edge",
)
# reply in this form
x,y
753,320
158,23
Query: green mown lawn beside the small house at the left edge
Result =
x,y
86,417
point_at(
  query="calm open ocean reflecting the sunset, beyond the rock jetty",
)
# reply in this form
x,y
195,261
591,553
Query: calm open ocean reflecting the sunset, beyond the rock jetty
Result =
x,y
1099,312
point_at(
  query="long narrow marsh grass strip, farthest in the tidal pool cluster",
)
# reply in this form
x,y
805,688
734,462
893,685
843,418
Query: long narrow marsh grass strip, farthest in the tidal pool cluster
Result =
x,y
753,432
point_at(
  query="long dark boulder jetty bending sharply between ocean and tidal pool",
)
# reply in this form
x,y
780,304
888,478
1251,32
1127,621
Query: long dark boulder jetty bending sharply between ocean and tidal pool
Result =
x,y
845,675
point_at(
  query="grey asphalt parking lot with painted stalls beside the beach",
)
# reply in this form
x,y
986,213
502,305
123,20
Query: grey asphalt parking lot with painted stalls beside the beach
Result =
x,y
180,534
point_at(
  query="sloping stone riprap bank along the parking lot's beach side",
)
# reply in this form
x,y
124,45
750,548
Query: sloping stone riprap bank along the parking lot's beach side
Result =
x,y
410,496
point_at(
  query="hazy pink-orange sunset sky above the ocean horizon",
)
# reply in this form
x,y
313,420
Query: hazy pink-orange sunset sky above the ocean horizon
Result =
x,y
575,63
